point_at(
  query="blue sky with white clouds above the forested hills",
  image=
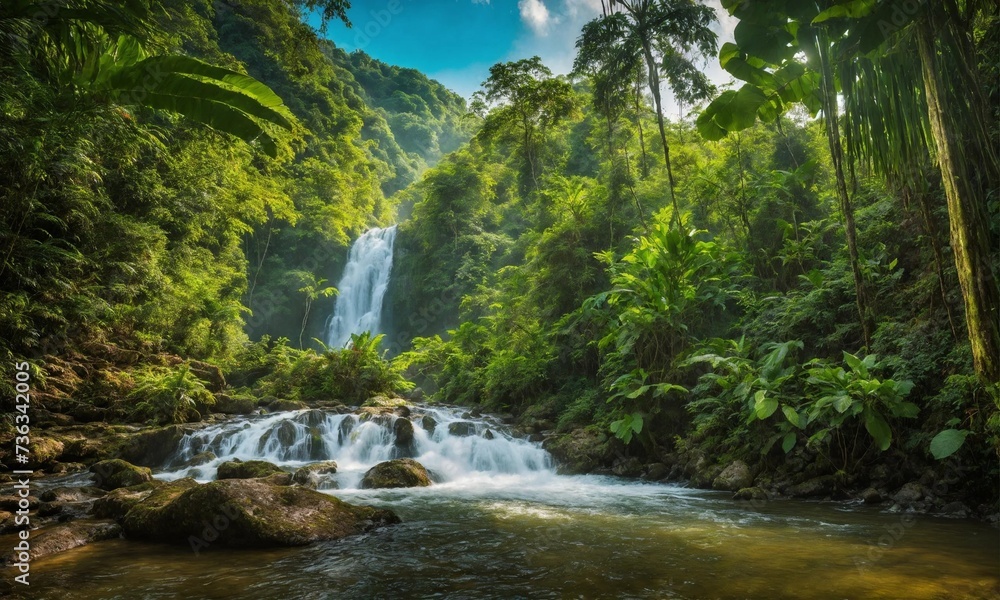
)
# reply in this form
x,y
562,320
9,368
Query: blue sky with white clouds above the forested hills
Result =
x,y
456,41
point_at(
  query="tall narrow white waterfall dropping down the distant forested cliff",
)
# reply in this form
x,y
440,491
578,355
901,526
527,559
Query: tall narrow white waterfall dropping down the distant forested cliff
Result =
x,y
365,280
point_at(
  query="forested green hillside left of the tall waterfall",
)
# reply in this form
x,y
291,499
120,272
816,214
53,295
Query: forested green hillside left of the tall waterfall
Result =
x,y
133,231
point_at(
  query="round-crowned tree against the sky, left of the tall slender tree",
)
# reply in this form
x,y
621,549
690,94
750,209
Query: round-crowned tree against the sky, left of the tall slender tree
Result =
x,y
523,97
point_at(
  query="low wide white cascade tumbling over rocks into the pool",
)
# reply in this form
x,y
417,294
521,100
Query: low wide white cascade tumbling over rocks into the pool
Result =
x,y
451,446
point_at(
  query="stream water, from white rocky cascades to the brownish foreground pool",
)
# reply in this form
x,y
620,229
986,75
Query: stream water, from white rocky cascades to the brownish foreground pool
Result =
x,y
500,523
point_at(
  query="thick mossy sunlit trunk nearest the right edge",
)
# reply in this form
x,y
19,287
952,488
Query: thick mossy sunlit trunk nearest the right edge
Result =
x,y
966,214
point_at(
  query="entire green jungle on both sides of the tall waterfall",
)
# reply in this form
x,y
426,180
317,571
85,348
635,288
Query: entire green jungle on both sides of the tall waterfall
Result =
x,y
798,274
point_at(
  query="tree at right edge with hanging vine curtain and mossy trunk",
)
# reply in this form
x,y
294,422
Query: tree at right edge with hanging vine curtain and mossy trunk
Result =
x,y
925,68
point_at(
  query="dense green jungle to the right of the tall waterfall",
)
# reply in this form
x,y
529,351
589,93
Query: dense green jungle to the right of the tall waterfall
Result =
x,y
753,282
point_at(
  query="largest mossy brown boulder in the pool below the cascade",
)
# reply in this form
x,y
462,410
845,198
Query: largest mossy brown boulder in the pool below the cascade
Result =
x,y
249,513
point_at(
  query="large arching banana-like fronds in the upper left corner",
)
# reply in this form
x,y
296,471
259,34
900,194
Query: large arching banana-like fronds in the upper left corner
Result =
x,y
98,48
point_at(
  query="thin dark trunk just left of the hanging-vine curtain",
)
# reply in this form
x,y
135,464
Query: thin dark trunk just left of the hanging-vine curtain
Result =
x,y
837,154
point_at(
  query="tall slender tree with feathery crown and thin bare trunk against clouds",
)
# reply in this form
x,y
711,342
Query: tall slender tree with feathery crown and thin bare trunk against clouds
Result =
x,y
659,35
